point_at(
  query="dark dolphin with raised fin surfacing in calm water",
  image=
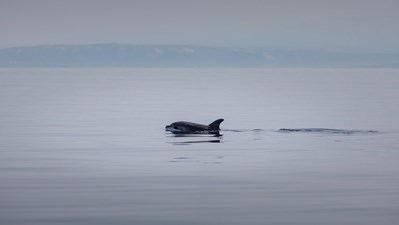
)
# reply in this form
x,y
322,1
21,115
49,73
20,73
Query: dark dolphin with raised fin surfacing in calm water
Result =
x,y
183,127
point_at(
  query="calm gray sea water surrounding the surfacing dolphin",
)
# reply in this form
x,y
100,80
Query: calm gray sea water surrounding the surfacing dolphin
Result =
x,y
88,146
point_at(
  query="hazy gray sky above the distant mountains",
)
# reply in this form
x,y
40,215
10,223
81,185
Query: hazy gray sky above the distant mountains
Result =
x,y
340,25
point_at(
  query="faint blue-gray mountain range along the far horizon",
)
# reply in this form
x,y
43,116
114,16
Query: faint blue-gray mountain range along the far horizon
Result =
x,y
123,55
